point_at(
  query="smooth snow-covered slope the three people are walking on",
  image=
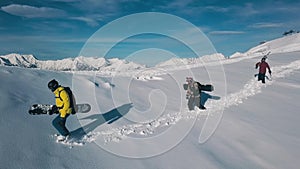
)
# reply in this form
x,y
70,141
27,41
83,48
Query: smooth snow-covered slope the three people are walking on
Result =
x,y
139,118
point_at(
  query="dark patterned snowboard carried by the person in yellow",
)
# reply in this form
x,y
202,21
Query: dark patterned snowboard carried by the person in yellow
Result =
x,y
37,109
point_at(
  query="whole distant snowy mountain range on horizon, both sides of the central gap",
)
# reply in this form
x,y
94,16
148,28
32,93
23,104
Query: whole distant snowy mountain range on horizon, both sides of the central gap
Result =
x,y
94,64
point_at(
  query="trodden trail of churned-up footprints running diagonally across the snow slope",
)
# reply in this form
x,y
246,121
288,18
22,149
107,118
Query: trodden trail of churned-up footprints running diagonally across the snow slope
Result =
x,y
215,108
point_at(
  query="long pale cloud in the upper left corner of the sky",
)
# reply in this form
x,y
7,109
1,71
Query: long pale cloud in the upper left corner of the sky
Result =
x,y
32,12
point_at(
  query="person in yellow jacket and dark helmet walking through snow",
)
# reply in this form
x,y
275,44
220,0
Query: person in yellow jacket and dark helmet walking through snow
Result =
x,y
63,103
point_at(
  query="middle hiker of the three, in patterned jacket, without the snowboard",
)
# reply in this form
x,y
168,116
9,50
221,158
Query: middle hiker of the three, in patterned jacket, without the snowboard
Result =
x,y
193,94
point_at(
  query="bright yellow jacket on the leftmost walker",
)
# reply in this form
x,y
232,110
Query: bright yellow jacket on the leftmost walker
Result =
x,y
62,101
